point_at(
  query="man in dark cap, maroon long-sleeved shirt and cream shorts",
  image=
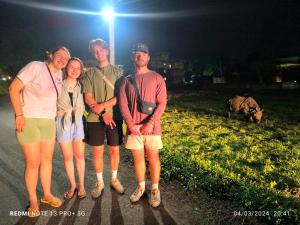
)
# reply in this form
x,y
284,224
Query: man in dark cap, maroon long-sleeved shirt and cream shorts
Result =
x,y
143,125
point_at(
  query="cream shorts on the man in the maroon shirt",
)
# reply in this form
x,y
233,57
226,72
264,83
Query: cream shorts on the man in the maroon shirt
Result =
x,y
135,142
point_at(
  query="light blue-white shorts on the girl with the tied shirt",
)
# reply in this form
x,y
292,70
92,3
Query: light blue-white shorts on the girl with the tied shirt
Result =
x,y
71,132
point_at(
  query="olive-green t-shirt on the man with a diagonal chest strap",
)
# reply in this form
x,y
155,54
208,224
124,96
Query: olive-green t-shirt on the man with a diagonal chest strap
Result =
x,y
94,84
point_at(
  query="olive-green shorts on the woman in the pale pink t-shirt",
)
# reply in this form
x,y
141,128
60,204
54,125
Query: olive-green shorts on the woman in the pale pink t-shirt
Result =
x,y
36,130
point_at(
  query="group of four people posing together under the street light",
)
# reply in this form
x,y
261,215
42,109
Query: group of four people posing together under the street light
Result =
x,y
49,99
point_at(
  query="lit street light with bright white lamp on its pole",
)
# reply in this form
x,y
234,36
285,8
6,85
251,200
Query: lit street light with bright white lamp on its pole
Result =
x,y
109,15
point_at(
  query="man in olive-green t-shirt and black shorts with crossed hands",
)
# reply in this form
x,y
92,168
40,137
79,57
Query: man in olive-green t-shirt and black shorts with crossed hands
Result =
x,y
104,119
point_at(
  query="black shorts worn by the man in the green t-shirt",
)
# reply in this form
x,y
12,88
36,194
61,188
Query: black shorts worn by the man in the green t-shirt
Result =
x,y
96,132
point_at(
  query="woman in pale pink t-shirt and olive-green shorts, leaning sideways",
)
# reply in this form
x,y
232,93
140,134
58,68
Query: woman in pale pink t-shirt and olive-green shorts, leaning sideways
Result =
x,y
33,95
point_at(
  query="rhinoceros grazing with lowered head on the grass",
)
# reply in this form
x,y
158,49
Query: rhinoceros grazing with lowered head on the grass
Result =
x,y
245,105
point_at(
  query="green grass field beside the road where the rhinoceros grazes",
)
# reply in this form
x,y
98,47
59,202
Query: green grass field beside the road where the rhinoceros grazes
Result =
x,y
255,164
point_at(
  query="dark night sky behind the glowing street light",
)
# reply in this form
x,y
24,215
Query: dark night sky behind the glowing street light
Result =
x,y
203,29
